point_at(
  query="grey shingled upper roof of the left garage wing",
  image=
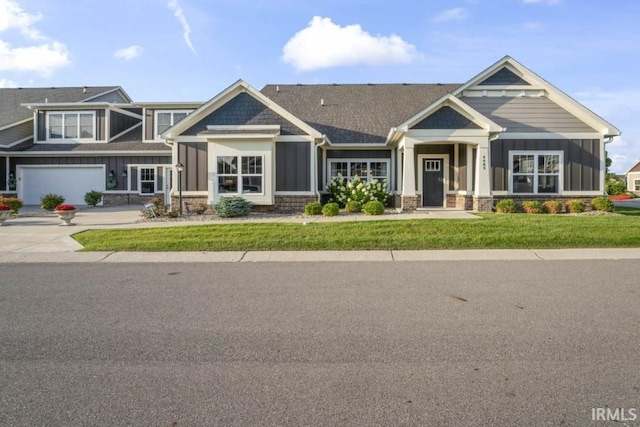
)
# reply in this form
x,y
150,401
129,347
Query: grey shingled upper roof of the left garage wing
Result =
x,y
11,110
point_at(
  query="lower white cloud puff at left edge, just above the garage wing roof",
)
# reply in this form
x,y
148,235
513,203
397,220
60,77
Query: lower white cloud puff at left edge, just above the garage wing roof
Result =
x,y
43,58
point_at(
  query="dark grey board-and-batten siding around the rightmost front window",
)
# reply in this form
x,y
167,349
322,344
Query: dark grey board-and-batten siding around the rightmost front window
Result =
x,y
581,161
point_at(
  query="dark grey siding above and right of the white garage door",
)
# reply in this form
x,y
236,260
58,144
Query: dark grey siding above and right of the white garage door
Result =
x,y
117,164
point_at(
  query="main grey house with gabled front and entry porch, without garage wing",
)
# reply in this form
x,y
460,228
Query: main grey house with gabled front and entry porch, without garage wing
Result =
x,y
505,133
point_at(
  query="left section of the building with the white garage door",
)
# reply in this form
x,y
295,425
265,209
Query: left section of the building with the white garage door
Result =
x,y
72,140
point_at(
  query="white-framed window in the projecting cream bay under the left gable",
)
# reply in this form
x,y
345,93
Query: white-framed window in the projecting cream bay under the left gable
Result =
x,y
249,175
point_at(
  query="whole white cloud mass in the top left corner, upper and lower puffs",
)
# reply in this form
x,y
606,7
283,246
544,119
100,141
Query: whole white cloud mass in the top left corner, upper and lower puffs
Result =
x,y
43,57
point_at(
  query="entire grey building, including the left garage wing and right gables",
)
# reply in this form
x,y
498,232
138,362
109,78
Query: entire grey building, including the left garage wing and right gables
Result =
x,y
505,133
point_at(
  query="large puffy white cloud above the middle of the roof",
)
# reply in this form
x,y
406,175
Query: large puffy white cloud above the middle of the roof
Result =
x,y
324,44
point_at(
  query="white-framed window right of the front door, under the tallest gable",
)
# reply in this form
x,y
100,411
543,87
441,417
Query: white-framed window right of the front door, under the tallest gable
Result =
x,y
535,172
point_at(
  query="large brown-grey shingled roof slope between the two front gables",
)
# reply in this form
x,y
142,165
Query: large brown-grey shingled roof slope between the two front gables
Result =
x,y
356,113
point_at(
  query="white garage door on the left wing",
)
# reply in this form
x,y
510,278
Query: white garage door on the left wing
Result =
x,y
72,182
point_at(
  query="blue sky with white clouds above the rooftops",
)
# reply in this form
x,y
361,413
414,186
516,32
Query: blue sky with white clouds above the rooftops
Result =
x,y
189,50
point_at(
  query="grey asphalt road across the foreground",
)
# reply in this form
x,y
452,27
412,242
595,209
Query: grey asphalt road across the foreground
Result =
x,y
390,343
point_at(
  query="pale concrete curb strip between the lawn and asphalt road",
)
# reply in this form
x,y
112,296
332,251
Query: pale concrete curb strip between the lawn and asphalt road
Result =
x,y
323,256
